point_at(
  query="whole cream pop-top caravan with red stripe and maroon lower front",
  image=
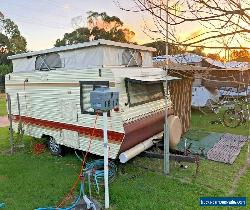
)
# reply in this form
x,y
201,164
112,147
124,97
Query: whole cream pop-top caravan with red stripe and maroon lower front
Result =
x,y
50,94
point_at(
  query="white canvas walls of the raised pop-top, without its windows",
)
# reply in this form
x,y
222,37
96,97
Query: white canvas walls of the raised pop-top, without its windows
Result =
x,y
95,56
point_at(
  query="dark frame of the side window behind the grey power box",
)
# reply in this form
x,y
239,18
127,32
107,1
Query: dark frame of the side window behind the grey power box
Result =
x,y
95,85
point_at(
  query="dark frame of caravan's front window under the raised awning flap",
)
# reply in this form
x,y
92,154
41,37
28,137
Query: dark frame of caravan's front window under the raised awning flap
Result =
x,y
128,80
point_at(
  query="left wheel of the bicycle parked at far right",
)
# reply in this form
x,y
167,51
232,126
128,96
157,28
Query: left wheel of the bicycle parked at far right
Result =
x,y
232,118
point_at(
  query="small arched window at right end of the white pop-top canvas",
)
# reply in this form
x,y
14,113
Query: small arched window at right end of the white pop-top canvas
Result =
x,y
131,58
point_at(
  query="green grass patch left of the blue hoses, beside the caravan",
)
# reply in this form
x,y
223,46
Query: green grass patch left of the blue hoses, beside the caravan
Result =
x,y
30,181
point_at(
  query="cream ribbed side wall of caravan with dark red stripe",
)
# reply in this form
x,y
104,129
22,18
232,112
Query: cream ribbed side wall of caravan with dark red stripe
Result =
x,y
50,105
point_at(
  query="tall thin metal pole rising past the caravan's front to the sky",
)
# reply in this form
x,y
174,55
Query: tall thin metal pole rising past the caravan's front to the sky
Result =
x,y
166,128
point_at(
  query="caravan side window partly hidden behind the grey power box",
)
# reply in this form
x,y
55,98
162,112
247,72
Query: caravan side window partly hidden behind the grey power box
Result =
x,y
85,88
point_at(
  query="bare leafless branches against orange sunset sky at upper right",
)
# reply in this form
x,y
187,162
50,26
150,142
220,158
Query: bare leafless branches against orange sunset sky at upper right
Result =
x,y
228,19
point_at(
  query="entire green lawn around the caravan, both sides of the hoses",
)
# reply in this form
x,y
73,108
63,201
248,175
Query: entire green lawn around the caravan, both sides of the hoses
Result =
x,y
29,181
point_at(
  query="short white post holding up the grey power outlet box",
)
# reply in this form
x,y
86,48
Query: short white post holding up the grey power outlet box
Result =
x,y
106,160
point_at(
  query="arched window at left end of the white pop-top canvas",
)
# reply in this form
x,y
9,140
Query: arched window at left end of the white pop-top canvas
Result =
x,y
47,62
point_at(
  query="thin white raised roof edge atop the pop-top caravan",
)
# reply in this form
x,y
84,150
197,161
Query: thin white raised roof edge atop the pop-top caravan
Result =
x,y
84,45
